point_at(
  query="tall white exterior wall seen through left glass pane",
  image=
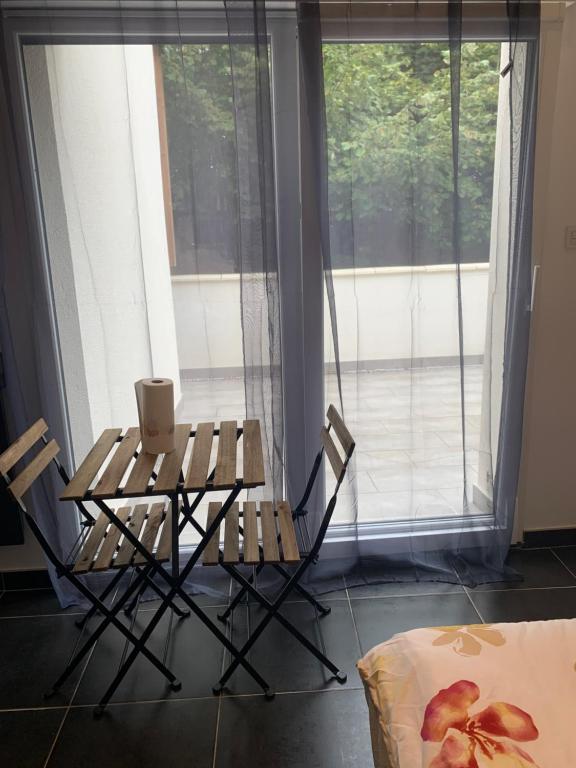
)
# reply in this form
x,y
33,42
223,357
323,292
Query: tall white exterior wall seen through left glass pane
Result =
x,y
106,227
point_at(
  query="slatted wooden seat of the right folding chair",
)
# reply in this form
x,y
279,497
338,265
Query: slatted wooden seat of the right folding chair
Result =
x,y
275,543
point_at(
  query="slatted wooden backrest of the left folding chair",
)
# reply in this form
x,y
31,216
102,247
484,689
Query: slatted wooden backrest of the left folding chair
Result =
x,y
18,485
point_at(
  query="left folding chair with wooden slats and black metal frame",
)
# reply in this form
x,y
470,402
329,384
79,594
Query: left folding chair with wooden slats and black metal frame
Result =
x,y
98,547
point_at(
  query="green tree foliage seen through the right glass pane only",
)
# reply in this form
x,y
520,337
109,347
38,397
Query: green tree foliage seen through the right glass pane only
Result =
x,y
390,139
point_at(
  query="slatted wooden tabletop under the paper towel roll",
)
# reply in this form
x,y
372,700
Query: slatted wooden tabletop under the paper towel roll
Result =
x,y
173,476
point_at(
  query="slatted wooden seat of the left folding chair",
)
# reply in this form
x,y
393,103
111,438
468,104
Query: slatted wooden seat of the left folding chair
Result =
x,y
105,547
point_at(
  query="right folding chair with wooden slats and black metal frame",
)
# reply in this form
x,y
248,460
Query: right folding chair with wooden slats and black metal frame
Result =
x,y
279,545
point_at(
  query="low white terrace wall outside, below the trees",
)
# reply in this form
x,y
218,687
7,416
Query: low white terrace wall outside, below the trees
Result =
x,y
383,314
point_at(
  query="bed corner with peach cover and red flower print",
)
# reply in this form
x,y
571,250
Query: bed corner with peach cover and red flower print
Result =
x,y
478,696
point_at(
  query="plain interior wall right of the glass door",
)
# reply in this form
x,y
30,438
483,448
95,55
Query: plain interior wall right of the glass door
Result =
x,y
547,492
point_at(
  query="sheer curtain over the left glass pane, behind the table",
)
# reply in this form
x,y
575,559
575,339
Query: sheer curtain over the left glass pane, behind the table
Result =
x,y
152,193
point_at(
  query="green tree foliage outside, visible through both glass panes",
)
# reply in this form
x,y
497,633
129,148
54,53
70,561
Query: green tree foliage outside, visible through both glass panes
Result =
x,y
389,143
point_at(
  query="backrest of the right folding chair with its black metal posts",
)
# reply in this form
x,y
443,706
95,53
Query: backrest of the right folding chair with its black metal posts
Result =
x,y
339,454
